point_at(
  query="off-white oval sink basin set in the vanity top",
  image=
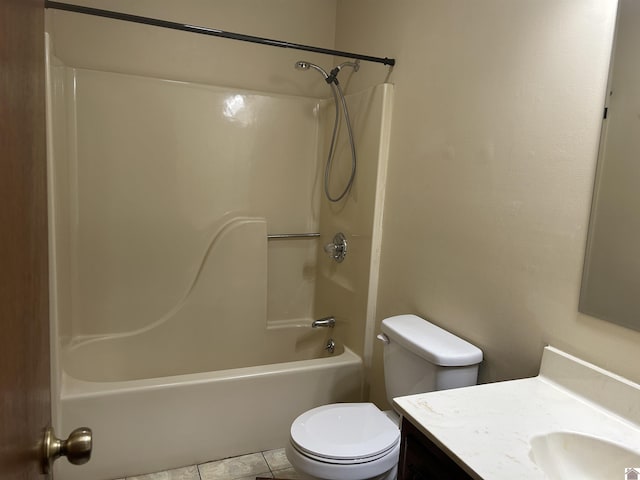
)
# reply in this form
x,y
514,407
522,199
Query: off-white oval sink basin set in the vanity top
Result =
x,y
566,455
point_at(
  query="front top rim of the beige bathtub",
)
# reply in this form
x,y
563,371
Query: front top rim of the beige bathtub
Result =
x,y
73,388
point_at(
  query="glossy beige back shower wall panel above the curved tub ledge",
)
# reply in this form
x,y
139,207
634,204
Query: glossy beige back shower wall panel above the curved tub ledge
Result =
x,y
153,172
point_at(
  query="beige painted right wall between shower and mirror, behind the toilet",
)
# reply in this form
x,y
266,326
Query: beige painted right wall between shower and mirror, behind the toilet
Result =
x,y
493,148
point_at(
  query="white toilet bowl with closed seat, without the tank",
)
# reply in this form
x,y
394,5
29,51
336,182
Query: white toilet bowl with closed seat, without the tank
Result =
x,y
344,441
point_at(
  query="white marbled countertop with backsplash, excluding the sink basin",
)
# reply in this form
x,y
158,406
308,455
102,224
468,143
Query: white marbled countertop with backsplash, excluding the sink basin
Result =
x,y
487,428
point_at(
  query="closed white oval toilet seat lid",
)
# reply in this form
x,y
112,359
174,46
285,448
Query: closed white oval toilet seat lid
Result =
x,y
344,431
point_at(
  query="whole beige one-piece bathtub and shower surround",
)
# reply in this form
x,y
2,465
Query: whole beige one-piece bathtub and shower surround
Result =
x,y
182,334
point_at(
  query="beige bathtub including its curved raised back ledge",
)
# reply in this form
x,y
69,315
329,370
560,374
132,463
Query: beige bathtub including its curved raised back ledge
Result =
x,y
209,379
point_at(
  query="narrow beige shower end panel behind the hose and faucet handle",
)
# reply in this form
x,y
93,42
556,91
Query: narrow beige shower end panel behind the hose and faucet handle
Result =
x,y
348,290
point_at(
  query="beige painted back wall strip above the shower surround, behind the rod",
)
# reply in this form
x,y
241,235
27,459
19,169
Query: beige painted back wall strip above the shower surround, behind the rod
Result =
x,y
92,42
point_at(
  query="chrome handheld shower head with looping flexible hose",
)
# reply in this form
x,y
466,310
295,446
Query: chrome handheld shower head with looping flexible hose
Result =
x,y
332,80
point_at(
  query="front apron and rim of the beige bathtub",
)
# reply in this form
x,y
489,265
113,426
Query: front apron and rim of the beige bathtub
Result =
x,y
146,425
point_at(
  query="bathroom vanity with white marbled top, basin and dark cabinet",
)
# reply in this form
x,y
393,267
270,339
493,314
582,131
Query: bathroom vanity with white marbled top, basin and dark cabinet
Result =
x,y
574,420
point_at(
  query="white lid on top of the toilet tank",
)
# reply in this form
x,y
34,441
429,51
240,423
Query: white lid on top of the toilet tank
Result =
x,y
430,341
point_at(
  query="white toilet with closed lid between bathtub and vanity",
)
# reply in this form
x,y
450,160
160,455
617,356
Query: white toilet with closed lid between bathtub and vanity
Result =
x,y
358,441
